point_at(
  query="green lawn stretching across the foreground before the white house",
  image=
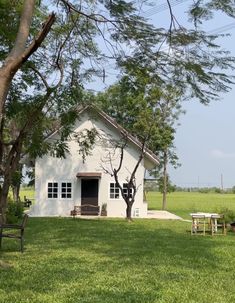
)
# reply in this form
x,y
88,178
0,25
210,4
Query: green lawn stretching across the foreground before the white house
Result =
x,y
113,261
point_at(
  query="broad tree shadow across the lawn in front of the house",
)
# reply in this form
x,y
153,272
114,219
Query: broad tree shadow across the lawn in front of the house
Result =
x,y
130,241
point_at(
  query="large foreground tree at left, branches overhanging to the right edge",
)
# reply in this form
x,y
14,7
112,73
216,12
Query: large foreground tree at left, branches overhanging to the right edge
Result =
x,y
38,48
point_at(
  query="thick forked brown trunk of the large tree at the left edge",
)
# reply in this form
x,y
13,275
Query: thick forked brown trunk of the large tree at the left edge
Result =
x,y
17,56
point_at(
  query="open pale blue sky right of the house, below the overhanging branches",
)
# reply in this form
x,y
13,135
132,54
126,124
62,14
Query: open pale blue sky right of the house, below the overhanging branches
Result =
x,y
205,145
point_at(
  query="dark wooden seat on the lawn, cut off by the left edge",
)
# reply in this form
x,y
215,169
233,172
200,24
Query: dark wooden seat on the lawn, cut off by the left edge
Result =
x,y
6,232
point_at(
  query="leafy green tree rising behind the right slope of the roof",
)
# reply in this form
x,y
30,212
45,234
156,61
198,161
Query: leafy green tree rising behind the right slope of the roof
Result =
x,y
138,111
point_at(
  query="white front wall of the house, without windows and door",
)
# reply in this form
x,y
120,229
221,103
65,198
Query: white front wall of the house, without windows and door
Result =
x,y
50,169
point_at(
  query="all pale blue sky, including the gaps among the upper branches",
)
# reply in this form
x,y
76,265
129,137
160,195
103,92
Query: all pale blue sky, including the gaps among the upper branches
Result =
x,y
204,140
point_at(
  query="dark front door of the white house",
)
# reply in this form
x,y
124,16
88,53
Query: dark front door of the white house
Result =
x,y
89,197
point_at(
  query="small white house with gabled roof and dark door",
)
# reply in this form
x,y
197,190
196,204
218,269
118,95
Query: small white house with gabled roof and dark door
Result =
x,y
61,184
